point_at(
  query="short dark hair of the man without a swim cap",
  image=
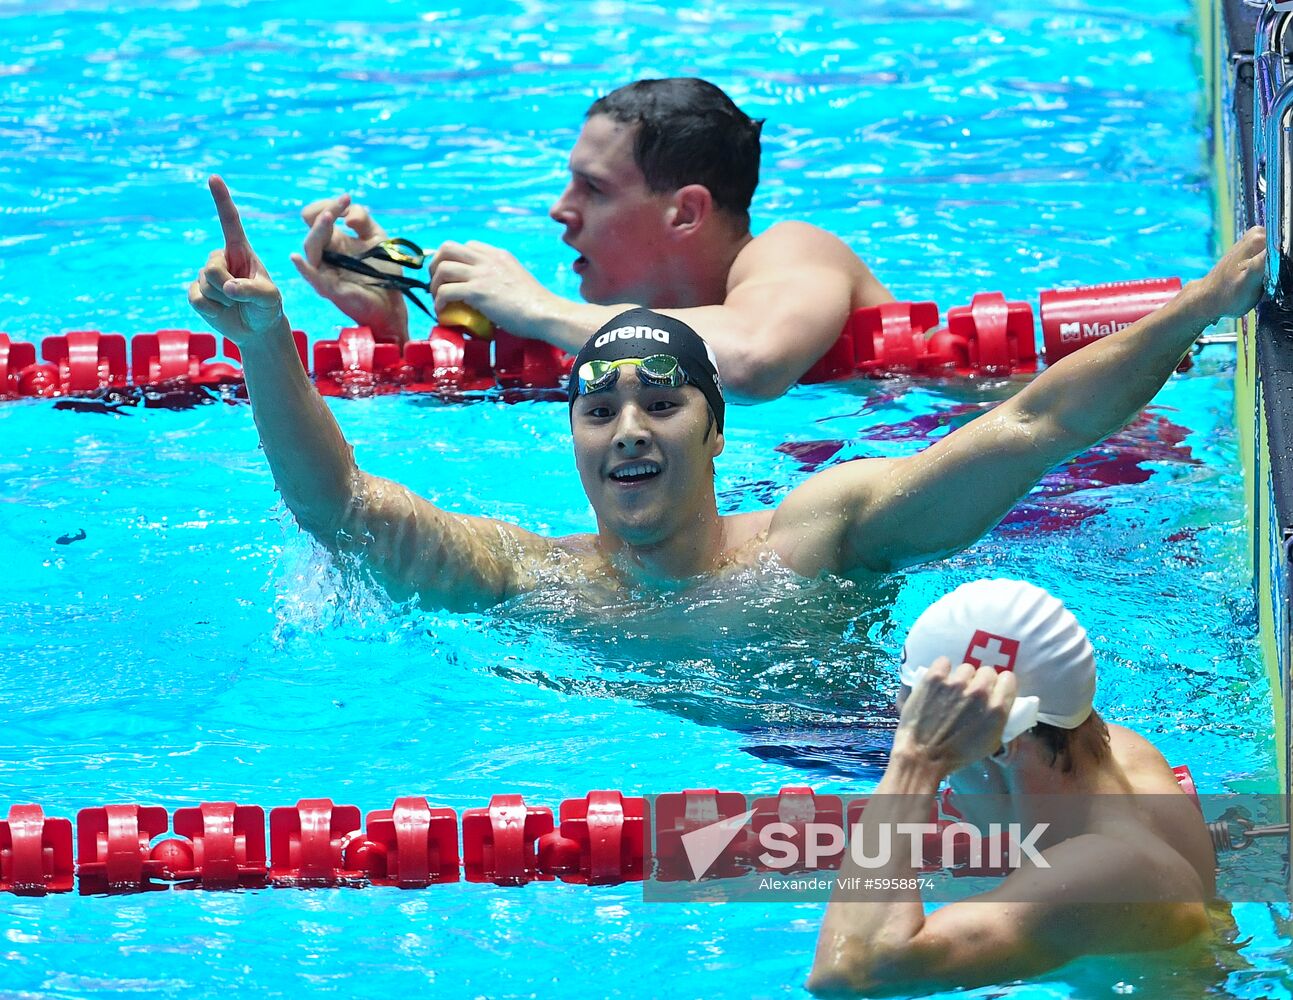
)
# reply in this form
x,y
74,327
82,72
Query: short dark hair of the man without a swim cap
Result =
x,y
690,133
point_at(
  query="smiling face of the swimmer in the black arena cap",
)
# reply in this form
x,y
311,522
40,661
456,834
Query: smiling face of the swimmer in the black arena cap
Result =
x,y
646,457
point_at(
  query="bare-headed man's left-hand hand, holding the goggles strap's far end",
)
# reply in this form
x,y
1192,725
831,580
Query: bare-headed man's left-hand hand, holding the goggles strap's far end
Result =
x,y
379,309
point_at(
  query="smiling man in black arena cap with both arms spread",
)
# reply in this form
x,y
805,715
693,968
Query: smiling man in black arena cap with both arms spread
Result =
x,y
646,438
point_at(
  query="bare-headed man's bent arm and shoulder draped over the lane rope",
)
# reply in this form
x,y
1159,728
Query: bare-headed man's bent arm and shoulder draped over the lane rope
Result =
x,y
788,296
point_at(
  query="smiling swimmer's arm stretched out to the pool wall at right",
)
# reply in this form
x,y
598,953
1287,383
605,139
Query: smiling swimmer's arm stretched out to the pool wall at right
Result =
x,y
888,514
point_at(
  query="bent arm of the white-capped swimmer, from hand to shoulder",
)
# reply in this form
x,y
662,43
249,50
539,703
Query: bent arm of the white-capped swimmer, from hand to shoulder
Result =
x,y
1101,895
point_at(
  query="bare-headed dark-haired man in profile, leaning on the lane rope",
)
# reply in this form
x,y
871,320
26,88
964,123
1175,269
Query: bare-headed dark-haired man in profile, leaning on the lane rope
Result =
x,y
659,212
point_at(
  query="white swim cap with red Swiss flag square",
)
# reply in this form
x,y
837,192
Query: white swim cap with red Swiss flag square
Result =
x,y
1016,627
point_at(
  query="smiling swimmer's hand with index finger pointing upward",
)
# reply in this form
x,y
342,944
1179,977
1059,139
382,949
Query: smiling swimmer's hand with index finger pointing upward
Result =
x,y
235,293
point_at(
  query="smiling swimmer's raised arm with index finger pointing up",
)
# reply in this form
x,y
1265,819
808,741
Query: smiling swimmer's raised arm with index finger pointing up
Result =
x,y
412,547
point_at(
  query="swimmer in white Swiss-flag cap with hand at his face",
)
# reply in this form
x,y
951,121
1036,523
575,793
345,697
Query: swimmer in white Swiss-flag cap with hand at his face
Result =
x,y
1131,862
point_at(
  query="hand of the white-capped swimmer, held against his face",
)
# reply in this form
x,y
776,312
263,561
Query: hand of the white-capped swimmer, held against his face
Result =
x,y
956,716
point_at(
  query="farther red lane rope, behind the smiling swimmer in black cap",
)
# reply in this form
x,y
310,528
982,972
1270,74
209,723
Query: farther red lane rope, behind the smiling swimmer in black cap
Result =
x,y
988,337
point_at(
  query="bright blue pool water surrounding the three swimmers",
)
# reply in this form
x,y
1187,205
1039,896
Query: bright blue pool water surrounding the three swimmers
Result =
x,y
195,647
